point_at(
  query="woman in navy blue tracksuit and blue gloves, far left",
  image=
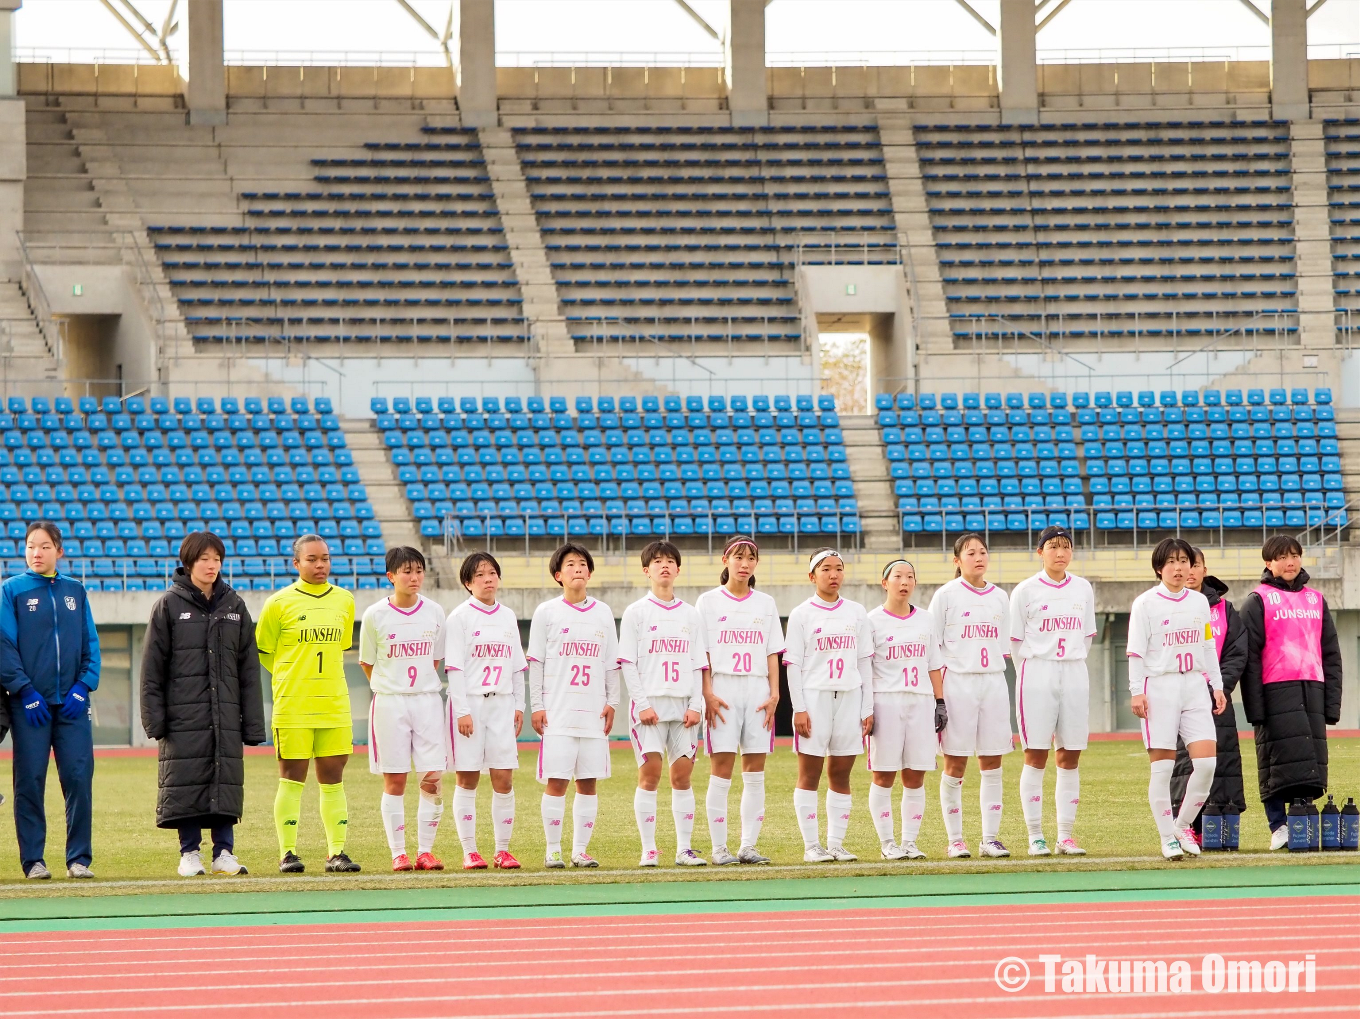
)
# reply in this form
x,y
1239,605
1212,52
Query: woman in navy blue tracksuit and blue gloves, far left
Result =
x,y
50,665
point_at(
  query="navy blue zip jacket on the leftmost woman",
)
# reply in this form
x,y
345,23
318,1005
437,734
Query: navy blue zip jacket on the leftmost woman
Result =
x,y
47,636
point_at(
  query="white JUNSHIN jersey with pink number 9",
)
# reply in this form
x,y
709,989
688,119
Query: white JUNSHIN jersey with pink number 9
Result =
x,y
402,646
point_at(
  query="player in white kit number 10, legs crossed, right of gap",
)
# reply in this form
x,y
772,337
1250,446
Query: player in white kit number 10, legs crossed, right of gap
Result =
x,y
1176,689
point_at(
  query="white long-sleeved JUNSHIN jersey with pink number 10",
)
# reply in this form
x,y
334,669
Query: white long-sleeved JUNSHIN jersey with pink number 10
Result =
x,y
1173,635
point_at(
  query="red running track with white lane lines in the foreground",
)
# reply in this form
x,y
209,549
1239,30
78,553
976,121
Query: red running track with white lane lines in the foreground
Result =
x,y
826,964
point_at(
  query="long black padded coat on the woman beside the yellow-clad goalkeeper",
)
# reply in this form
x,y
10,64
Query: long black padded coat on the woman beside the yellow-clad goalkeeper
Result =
x,y
201,699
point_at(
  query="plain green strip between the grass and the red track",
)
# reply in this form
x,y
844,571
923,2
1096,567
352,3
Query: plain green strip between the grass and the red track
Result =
x,y
663,899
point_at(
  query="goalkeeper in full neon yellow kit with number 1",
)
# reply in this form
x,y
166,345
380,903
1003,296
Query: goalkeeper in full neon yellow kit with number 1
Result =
x,y
303,635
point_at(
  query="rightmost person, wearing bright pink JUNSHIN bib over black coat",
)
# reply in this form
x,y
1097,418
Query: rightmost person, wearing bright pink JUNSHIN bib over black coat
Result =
x,y
1291,686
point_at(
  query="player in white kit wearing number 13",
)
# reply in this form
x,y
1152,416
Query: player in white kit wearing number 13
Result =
x,y
909,709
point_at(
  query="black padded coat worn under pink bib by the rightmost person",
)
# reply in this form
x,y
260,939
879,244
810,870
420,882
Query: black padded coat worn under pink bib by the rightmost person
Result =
x,y
1291,719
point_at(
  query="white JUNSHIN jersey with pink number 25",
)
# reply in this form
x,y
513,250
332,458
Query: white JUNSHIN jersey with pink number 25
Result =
x,y
579,648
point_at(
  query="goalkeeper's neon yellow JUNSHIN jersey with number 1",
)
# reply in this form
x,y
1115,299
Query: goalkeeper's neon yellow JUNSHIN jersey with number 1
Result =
x,y
303,636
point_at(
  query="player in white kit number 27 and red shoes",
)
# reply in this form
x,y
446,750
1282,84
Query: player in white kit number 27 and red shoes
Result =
x,y
486,708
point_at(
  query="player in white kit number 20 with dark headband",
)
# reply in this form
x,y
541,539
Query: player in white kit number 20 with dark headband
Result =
x,y
742,693
